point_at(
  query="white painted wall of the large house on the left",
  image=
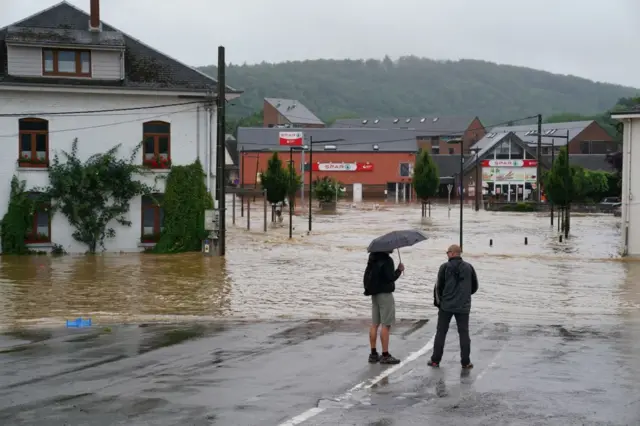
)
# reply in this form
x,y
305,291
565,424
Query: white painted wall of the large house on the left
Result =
x,y
97,133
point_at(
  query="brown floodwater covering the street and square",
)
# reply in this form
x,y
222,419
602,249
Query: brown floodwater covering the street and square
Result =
x,y
266,275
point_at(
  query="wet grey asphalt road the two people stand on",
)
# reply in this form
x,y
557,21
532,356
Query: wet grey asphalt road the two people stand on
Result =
x,y
267,373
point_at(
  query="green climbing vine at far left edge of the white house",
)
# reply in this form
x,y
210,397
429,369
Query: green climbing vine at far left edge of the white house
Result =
x,y
18,218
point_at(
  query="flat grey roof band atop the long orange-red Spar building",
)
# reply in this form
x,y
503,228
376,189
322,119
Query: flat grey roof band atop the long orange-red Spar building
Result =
x,y
353,140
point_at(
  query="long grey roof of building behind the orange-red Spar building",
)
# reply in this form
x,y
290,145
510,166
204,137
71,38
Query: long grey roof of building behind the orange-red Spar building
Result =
x,y
428,126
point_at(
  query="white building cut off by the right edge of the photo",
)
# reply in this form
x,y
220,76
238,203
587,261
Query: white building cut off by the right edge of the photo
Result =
x,y
630,180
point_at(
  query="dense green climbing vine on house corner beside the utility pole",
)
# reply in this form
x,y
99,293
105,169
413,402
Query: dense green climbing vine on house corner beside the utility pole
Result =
x,y
185,200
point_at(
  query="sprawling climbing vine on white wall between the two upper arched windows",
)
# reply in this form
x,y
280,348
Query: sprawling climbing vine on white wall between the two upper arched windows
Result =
x,y
94,193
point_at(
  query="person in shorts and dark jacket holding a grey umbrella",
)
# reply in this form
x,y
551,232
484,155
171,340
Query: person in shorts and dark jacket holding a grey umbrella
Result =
x,y
380,277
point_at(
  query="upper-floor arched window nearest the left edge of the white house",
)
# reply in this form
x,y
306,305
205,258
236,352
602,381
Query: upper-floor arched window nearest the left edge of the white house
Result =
x,y
34,142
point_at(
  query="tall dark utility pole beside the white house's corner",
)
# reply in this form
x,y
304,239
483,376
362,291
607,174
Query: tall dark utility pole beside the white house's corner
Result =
x,y
220,180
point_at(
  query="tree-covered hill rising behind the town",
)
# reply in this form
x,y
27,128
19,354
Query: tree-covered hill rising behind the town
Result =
x,y
413,86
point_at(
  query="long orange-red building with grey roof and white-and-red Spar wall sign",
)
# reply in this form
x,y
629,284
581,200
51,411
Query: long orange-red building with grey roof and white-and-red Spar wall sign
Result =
x,y
380,159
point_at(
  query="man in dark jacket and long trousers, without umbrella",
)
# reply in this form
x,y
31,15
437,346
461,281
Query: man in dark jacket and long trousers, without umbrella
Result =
x,y
457,281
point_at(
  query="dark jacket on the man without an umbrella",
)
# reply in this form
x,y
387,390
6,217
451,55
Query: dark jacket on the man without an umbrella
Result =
x,y
457,281
